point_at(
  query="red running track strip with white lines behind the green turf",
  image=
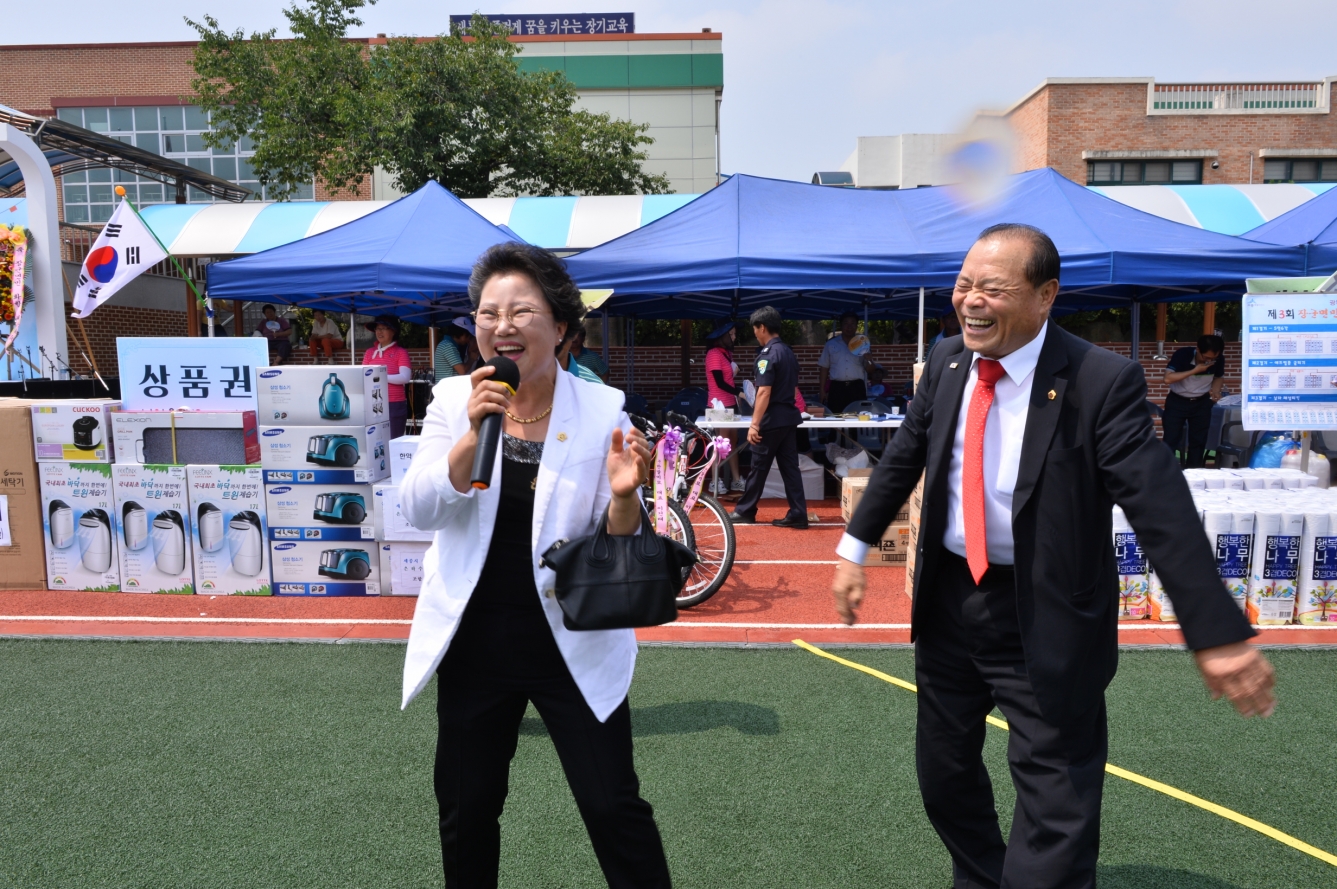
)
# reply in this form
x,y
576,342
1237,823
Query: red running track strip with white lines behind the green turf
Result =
x,y
780,590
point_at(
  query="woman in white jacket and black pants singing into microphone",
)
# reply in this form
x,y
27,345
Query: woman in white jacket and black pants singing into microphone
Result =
x,y
487,622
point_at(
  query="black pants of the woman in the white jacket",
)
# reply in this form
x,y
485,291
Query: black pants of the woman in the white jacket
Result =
x,y
479,725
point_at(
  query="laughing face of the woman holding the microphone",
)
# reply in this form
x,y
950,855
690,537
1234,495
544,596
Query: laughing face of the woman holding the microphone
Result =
x,y
525,330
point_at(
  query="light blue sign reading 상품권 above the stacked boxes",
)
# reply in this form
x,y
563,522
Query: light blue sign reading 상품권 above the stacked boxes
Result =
x,y
196,374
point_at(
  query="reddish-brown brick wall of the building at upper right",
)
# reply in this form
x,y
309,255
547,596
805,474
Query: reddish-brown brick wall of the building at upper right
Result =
x,y
1064,120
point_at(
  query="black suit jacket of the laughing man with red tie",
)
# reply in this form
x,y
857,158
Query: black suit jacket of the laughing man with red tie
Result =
x,y
1088,449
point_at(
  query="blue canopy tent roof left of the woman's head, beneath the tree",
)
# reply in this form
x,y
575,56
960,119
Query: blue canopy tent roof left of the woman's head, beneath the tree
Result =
x,y
411,259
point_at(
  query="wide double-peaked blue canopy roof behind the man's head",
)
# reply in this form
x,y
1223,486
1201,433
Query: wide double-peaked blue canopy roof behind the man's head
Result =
x,y
814,251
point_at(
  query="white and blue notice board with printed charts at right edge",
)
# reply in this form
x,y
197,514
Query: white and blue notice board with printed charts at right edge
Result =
x,y
1290,360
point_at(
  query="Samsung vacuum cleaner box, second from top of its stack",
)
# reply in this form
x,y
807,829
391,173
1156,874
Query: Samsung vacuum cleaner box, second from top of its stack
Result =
x,y
359,451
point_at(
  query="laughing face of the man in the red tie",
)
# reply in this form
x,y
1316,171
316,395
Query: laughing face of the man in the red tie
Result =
x,y
1001,311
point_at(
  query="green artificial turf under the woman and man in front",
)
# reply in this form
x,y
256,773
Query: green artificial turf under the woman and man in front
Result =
x,y
289,765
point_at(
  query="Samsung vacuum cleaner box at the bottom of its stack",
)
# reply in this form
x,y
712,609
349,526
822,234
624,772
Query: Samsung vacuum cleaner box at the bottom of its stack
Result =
x,y
326,569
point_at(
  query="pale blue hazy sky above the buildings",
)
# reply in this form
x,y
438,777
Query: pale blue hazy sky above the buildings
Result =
x,y
806,78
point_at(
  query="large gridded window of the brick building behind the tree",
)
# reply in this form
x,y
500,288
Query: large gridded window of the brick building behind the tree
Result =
x,y
173,132
